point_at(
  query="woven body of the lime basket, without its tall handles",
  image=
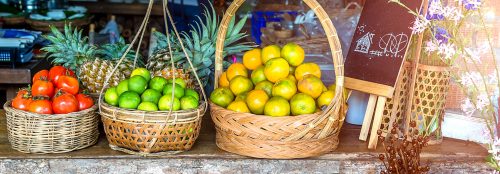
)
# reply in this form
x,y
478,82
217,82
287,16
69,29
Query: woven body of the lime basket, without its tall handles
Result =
x,y
150,133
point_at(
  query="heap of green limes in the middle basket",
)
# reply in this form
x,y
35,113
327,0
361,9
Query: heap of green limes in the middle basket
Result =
x,y
146,93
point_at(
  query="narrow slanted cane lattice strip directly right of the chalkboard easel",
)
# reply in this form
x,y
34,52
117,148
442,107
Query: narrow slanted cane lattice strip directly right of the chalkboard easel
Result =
x,y
398,100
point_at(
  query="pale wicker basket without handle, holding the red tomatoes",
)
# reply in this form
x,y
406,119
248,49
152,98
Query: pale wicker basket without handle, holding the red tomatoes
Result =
x,y
39,133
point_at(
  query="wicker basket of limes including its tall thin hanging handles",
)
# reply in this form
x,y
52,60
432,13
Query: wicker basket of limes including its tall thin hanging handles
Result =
x,y
152,133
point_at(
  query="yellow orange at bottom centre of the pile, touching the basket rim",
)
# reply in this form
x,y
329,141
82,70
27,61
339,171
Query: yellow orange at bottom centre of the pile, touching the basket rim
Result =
x,y
277,107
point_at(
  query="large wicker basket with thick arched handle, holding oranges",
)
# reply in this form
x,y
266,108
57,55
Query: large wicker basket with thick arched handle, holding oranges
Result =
x,y
281,137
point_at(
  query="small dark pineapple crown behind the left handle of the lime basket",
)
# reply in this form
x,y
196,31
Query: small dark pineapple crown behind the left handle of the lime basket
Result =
x,y
115,52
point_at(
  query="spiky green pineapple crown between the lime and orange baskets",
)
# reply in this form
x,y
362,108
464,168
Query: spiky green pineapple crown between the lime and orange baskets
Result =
x,y
200,42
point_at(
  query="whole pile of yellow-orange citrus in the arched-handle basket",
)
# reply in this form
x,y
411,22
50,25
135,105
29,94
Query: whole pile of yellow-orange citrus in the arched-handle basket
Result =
x,y
279,84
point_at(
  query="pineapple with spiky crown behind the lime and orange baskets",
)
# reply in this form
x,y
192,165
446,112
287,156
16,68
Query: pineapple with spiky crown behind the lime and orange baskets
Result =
x,y
200,47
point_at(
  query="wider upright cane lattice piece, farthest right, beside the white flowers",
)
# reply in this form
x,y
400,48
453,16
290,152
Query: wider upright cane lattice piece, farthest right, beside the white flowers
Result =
x,y
429,100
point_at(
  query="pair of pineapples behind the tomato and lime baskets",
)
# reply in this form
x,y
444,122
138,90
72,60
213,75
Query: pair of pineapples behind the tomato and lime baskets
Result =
x,y
92,64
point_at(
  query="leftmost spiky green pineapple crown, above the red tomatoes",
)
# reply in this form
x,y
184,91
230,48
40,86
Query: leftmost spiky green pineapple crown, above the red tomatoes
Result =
x,y
69,49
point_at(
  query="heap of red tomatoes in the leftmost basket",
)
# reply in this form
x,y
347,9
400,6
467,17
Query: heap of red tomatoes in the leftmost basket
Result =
x,y
54,91
